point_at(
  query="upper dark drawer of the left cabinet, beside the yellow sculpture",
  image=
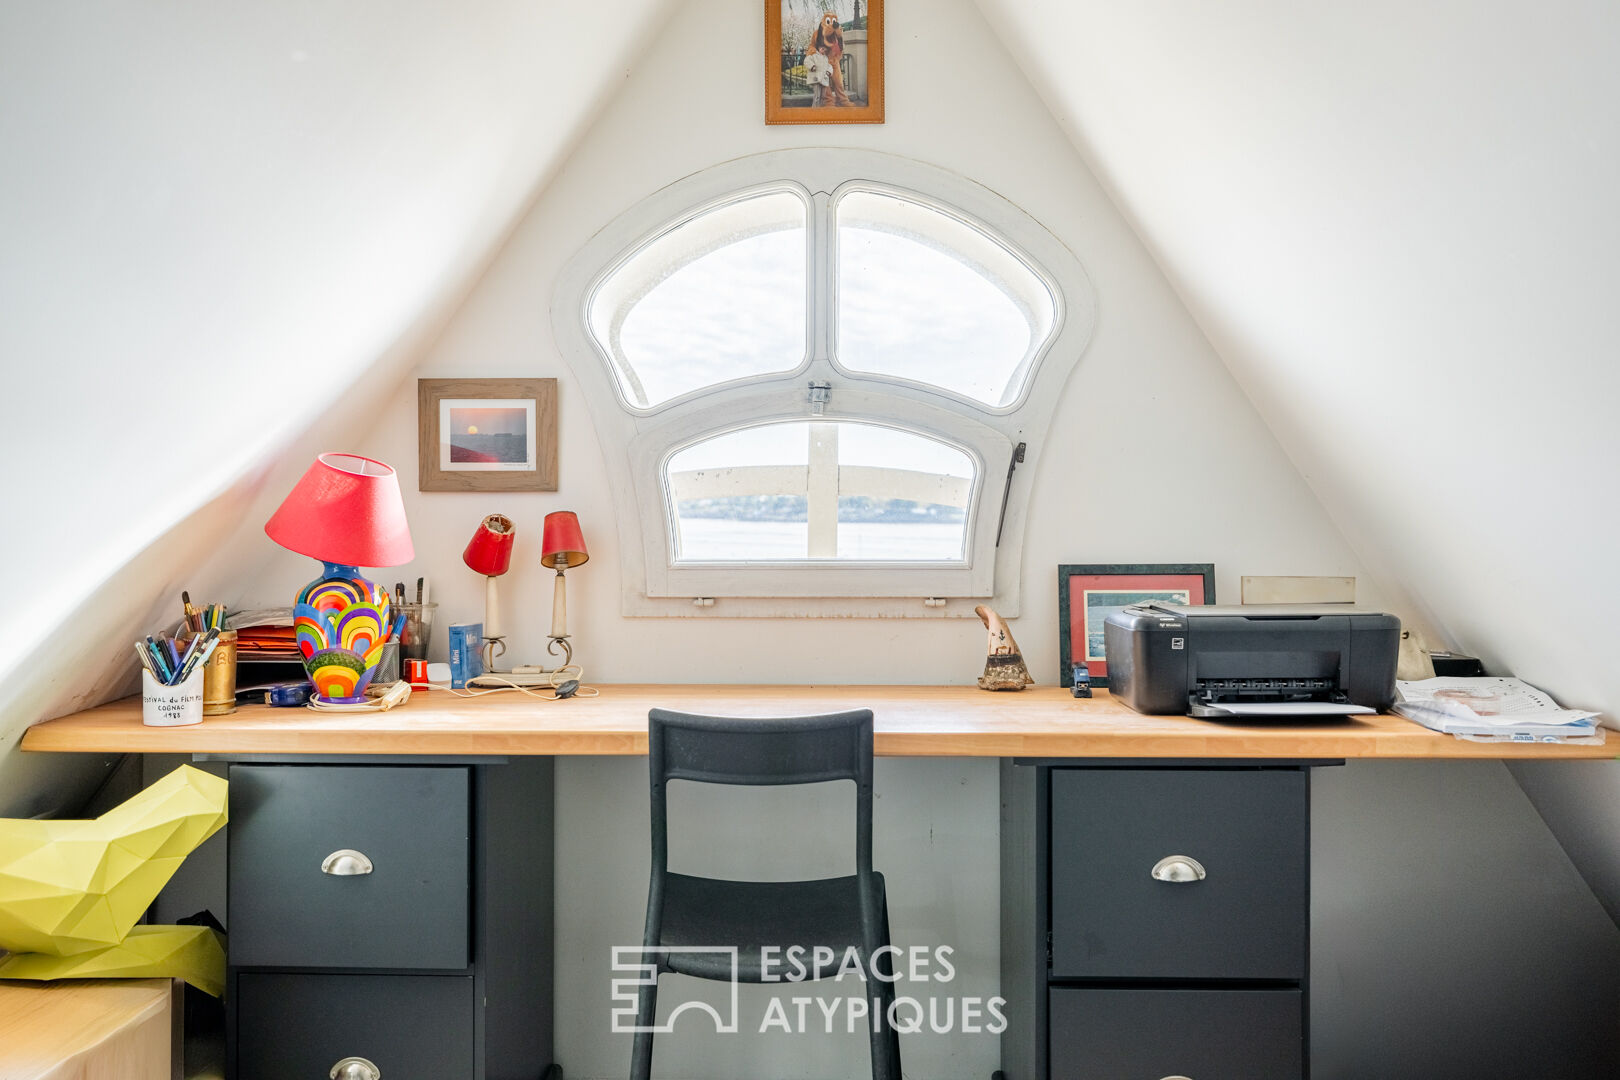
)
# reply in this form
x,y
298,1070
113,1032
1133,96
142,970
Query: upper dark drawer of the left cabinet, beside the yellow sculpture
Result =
x,y
411,912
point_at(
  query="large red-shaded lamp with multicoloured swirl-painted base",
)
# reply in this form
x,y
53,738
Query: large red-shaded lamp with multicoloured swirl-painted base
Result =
x,y
346,512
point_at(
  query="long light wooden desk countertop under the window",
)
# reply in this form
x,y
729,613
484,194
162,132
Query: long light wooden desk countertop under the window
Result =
x,y
911,721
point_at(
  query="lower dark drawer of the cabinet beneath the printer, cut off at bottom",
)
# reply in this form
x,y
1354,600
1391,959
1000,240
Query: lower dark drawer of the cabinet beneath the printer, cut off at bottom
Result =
x,y
1195,1034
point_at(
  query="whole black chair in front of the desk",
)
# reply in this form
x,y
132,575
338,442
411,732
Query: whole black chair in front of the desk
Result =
x,y
707,912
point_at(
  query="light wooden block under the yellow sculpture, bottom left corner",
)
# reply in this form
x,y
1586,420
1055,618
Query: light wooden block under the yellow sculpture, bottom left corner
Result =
x,y
92,1031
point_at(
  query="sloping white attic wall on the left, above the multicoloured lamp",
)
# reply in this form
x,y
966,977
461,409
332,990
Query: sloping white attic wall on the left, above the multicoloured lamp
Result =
x,y
232,218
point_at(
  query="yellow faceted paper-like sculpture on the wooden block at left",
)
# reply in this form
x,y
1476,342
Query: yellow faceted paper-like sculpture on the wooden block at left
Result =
x,y
77,888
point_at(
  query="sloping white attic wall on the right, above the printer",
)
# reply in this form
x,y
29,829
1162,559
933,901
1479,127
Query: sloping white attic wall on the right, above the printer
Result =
x,y
1397,224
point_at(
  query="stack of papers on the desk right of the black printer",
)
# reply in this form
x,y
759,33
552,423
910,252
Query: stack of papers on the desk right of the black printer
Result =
x,y
1499,710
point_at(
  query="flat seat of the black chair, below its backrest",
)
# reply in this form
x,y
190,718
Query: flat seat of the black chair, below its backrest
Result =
x,y
754,914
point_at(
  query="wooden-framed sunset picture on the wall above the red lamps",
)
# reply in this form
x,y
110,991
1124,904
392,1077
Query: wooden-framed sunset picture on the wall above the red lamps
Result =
x,y
487,435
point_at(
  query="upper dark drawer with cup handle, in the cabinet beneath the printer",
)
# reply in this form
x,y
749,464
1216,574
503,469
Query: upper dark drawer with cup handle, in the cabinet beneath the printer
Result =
x,y
1112,919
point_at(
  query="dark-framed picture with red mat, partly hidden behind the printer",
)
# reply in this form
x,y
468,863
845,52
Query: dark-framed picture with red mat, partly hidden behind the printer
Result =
x,y
1088,592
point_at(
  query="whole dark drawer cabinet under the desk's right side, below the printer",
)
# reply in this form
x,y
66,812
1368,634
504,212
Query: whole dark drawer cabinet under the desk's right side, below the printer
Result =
x,y
1156,921
